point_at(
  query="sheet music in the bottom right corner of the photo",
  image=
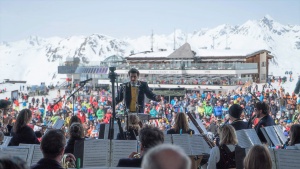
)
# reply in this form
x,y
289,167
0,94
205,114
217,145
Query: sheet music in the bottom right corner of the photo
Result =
x,y
287,159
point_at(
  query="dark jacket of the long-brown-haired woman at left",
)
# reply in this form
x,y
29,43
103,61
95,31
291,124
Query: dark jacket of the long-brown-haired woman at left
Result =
x,y
25,136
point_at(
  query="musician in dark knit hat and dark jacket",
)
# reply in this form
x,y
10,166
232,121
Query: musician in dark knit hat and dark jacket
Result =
x,y
235,112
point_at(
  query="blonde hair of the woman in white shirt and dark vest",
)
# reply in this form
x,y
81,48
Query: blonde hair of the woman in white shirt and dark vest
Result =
x,y
227,135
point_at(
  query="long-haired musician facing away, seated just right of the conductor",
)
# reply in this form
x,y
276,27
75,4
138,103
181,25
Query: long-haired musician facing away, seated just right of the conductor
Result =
x,y
181,125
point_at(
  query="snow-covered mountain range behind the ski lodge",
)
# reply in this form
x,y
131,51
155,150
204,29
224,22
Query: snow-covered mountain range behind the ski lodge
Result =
x,y
36,59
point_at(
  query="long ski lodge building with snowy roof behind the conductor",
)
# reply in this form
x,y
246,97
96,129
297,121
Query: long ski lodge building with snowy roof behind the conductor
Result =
x,y
205,69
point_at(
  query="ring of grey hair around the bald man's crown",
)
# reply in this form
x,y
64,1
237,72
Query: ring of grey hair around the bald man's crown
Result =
x,y
150,160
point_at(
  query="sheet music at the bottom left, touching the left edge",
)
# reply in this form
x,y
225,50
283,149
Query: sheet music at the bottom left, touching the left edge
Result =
x,y
15,151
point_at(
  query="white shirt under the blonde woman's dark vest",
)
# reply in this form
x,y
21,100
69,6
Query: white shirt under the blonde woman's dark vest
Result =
x,y
214,157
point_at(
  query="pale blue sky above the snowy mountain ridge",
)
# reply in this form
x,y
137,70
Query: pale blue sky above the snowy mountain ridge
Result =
x,y
133,18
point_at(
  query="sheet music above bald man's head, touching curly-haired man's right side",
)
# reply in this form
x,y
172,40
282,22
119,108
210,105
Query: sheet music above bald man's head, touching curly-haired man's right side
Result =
x,y
183,142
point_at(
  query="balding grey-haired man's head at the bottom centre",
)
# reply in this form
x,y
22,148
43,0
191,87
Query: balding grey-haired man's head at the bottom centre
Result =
x,y
166,156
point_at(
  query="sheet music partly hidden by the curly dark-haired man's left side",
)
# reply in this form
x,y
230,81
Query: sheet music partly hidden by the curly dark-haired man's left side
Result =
x,y
122,149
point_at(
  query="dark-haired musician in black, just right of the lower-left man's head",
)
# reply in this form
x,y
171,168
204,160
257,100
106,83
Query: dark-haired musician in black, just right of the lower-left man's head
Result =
x,y
76,132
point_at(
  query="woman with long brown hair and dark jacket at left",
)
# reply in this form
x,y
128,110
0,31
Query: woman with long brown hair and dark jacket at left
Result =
x,y
22,133
